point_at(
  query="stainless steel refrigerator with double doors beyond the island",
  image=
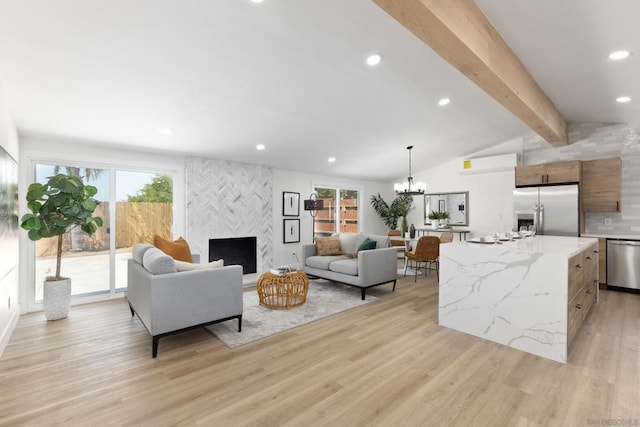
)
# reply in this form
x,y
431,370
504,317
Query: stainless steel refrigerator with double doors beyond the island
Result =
x,y
553,210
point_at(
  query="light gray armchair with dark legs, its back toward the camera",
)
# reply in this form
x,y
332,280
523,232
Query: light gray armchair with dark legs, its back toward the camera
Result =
x,y
168,302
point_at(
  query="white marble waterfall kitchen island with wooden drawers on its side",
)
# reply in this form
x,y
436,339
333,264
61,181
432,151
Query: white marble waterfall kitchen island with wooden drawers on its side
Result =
x,y
531,294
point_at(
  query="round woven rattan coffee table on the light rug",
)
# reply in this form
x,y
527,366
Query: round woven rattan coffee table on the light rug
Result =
x,y
282,290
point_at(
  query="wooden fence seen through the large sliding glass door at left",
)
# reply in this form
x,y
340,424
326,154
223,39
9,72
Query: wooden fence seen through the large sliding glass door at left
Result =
x,y
137,222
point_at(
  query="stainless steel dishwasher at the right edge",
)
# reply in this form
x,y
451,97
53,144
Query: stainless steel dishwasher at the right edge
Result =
x,y
623,263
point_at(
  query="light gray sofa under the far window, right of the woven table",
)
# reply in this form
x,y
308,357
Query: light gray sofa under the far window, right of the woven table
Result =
x,y
369,268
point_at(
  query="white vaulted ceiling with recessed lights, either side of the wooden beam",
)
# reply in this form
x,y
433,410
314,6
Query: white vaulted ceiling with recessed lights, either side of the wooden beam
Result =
x,y
228,75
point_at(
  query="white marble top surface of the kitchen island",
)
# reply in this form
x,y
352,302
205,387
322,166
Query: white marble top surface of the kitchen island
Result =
x,y
557,245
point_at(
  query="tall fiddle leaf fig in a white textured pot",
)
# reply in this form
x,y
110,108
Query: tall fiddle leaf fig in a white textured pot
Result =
x,y
57,207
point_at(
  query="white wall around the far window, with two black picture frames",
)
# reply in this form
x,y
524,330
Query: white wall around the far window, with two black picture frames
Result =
x,y
304,183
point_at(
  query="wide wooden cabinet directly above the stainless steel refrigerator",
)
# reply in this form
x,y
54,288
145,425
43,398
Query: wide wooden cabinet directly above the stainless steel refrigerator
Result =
x,y
549,173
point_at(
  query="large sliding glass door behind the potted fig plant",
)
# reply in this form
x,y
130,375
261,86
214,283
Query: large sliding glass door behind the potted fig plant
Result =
x,y
134,205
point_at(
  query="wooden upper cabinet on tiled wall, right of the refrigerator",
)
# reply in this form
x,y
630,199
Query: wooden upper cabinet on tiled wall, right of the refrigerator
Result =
x,y
601,184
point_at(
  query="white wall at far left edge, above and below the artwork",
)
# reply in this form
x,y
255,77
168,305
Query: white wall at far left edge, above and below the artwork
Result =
x,y
9,284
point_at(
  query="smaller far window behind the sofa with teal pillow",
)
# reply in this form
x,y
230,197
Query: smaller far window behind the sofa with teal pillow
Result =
x,y
340,214
